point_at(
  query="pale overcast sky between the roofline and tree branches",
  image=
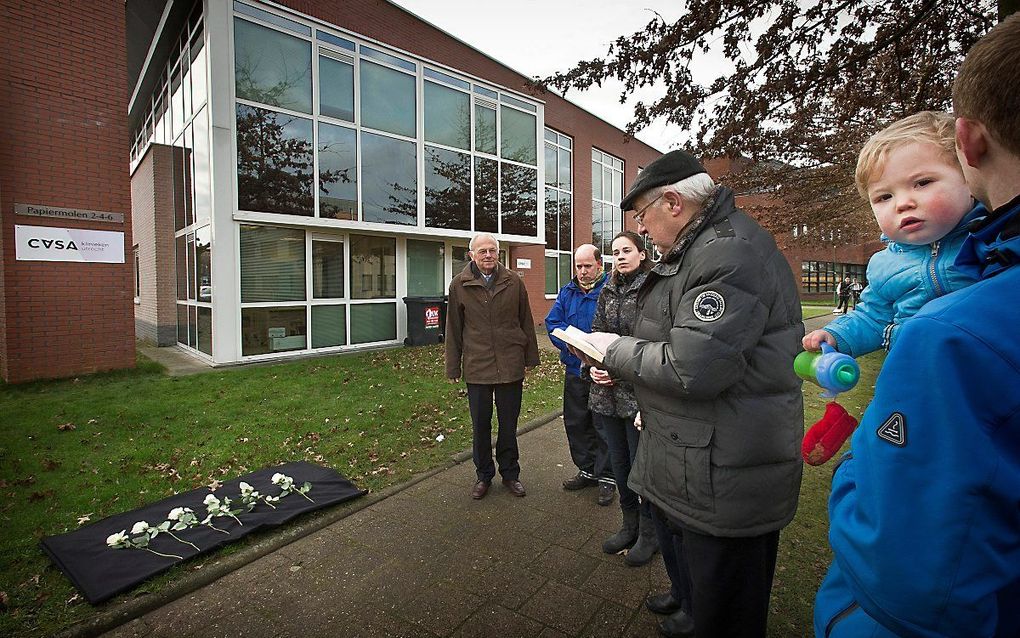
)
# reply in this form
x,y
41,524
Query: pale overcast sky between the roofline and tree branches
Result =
x,y
542,37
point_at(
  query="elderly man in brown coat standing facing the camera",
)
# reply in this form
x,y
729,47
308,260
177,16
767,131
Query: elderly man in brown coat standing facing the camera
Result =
x,y
490,342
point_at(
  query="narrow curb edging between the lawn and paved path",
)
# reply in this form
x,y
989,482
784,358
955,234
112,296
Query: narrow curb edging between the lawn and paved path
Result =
x,y
133,609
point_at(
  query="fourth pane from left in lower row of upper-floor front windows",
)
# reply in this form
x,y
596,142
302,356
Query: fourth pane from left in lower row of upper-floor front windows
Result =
x,y
448,189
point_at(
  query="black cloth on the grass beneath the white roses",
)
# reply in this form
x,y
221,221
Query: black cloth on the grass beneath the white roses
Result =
x,y
100,572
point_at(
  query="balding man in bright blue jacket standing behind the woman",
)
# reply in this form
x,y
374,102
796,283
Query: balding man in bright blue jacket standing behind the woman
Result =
x,y
576,307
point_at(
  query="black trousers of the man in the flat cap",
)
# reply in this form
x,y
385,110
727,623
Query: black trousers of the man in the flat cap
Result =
x,y
726,583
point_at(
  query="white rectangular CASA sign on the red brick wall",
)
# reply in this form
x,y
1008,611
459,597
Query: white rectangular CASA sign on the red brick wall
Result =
x,y
44,243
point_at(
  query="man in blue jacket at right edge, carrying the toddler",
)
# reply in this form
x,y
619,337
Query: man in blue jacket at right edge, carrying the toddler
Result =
x,y
926,508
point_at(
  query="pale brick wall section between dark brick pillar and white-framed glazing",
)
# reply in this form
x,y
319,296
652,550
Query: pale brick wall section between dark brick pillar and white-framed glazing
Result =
x,y
152,226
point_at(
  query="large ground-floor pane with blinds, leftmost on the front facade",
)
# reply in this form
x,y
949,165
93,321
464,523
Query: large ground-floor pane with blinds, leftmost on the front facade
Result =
x,y
273,264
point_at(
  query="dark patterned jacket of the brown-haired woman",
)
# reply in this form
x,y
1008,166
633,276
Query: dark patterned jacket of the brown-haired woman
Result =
x,y
616,313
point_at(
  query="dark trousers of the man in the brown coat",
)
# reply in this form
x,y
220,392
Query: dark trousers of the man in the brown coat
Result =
x,y
480,401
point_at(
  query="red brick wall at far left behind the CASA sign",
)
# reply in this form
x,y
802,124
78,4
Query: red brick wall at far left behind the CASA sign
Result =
x,y
64,107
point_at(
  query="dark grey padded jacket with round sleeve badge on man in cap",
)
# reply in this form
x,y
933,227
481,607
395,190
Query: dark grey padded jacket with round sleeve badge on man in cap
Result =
x,y
712,363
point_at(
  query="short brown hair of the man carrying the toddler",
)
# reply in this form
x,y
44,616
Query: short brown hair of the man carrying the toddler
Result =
x,y
988,87
